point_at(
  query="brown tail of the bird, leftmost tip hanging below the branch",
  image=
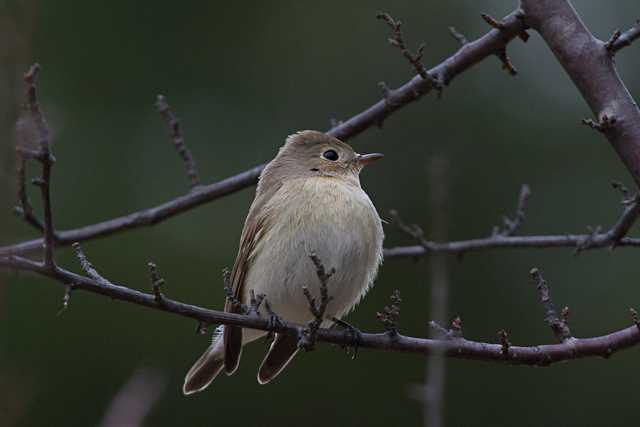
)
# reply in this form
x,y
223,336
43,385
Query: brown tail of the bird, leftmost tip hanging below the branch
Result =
x,y
207,367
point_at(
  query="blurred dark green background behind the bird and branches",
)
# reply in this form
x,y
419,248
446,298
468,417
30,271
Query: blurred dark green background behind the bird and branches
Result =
x,y
241,76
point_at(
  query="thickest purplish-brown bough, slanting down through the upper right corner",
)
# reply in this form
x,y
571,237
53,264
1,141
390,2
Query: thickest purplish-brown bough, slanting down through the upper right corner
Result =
x,y
592,69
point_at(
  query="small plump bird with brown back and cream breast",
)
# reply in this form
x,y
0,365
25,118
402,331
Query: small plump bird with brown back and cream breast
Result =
x,y
308,201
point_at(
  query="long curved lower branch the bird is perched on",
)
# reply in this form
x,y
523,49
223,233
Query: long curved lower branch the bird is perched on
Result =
x,y
539,355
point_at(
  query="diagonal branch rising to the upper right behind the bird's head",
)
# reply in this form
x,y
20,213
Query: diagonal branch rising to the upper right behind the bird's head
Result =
x,y
467,56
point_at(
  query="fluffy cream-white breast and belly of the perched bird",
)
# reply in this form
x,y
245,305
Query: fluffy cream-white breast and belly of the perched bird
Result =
x,y
335,222
